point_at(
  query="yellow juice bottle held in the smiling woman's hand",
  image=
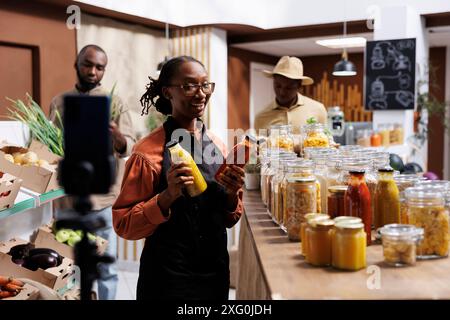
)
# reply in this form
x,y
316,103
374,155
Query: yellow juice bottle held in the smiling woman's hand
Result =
x,y
178,155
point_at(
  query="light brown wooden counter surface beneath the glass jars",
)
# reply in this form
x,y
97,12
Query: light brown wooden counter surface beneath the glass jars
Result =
x,y
271,267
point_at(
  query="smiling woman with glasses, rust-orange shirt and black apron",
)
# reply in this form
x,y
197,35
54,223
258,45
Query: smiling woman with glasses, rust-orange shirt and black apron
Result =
x,y
185,254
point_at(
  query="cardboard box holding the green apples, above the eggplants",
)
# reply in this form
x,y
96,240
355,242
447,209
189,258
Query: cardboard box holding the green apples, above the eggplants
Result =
x,y
46,239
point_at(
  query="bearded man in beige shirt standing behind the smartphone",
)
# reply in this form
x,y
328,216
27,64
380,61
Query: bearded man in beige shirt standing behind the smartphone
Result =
x,y
90,66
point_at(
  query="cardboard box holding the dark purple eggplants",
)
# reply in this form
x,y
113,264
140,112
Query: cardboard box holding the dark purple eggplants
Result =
x,y
54,278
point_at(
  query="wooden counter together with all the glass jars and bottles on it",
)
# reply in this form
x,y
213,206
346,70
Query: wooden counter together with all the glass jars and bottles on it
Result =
x,y
327,221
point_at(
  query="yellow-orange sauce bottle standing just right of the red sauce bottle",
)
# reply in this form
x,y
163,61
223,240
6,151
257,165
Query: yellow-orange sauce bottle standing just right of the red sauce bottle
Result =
x,y
387,199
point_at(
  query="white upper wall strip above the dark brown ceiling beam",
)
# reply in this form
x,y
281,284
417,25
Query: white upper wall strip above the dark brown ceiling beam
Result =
x,y
265,14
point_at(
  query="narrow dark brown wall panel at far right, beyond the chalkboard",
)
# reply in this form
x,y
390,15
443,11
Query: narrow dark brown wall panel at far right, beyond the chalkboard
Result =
x,y
435,127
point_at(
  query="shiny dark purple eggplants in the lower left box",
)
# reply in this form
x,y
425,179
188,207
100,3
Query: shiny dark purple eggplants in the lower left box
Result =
x,y
32,258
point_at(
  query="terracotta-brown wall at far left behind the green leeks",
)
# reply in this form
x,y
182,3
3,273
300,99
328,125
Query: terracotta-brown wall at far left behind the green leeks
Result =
x,y
42,27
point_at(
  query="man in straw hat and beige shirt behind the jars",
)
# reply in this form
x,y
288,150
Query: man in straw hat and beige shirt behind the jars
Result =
x,y
289,106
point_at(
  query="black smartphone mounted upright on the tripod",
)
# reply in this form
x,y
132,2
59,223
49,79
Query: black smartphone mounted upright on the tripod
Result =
x,y
88,166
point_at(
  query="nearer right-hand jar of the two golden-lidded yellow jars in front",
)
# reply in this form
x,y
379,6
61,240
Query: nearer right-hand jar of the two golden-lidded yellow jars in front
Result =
x,y
348,246
